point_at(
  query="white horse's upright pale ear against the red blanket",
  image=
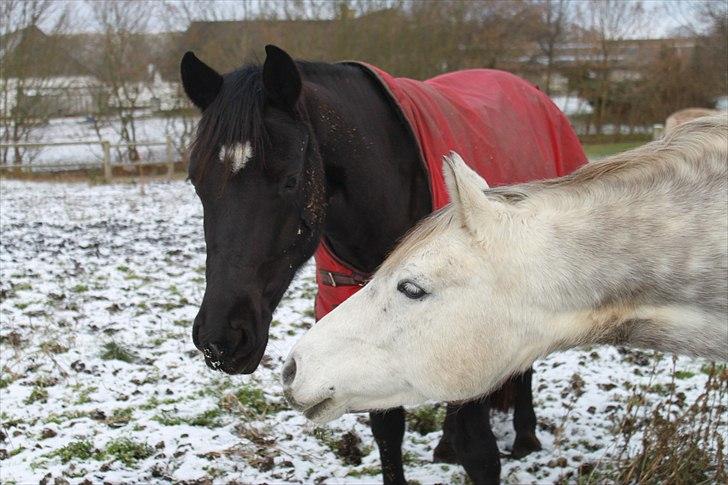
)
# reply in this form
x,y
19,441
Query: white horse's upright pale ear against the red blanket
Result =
x,y
466,188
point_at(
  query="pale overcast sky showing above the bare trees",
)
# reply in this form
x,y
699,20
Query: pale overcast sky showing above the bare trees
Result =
x,y
665,17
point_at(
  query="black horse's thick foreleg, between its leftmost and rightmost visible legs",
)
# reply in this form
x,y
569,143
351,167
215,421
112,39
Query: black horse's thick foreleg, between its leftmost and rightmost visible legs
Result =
x,y
468,429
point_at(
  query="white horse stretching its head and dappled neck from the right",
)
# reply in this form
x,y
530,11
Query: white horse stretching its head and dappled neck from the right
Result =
x,y
631,251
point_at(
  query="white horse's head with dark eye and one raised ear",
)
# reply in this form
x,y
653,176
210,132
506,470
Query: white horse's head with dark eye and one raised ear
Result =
x,y
433,323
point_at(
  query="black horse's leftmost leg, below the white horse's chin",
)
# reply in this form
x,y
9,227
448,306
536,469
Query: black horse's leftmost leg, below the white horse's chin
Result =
x,y
388,431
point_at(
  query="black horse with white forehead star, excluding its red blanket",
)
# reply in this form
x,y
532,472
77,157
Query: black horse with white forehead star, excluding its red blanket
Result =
x,y
286,154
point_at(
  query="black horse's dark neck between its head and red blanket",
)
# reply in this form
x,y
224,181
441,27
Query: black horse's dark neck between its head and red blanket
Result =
x,y
376,185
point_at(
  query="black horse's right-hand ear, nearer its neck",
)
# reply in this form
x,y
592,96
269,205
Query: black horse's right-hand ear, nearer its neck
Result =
x,y
281,78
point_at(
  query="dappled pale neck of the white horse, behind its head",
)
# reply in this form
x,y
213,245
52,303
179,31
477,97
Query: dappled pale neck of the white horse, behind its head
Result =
x,y
610,267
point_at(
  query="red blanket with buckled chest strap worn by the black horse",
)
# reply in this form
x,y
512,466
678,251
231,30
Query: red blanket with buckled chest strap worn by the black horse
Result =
x,y
503,126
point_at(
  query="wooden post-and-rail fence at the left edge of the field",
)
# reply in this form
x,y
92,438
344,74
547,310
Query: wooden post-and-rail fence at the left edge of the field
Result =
x,y
106,163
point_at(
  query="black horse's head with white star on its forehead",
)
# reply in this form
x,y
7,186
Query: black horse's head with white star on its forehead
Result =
x,y
256,168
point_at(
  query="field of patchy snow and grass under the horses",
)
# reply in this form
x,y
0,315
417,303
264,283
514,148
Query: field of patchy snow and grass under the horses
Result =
x,y
101,383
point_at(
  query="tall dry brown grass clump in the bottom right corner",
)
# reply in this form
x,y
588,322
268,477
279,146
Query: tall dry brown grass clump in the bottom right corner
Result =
x,y
681,442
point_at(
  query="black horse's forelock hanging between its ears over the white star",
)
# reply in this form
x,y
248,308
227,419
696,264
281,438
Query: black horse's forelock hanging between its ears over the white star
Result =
x,y
233,119
